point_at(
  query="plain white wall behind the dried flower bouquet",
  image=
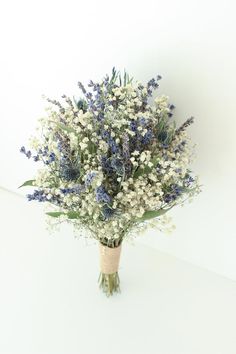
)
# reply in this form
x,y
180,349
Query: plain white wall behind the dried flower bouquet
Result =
x,y
47,47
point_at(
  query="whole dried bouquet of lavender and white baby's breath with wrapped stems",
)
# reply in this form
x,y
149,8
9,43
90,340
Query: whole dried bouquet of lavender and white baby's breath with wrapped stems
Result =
x,y
111,163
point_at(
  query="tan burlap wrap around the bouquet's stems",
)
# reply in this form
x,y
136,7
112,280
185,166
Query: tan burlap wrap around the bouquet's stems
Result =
x,y
109,259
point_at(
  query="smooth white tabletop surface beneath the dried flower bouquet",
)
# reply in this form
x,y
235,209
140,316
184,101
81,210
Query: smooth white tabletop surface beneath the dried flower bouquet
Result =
x,y
50,302
